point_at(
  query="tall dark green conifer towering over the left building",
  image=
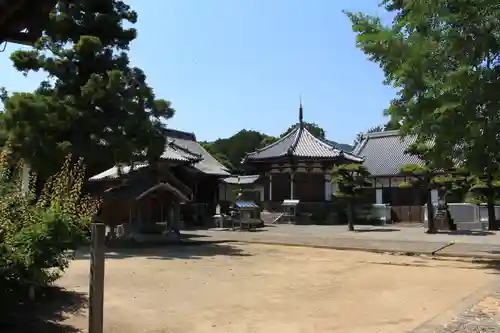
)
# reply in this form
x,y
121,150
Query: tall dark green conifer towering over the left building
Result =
x,y
93,104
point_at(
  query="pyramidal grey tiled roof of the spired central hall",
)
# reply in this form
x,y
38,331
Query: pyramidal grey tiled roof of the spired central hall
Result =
x,y
301,143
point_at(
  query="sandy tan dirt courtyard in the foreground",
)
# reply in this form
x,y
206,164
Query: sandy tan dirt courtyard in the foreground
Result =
x,y
263,288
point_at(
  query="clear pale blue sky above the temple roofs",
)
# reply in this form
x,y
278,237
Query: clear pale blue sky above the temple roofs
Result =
x,y
233,64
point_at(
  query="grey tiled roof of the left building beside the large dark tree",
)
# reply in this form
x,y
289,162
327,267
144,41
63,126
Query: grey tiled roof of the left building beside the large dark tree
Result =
x,y
208,164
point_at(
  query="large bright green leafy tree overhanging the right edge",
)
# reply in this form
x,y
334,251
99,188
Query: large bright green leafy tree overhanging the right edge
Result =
x,y
443,57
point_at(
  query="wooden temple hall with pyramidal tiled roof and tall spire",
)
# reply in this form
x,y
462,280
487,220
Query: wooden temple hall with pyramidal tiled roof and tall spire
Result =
x,y
298,167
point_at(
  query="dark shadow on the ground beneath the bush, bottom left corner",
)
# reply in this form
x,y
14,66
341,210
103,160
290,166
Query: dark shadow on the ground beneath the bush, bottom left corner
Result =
x,y
52,306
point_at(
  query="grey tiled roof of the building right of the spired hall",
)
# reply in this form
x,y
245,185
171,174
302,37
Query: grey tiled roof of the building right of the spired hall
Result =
x,y
385,152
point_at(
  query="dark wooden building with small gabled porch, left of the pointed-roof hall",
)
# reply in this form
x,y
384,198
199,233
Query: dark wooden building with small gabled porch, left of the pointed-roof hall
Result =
x,y
185,182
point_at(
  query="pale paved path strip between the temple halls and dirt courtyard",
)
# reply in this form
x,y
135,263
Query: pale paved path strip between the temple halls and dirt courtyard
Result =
x,y
380,239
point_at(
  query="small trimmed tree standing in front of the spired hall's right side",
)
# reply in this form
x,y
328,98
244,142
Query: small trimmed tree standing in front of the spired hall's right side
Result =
x,y
352,180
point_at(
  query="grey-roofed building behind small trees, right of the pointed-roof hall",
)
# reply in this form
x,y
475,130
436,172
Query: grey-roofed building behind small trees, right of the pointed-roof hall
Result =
x,y
384,154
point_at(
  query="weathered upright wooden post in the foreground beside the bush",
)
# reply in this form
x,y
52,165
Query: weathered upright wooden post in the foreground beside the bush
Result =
x,y
96,285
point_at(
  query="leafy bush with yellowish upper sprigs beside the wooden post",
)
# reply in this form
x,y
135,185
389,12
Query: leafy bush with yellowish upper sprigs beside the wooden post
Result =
x,y
38,234
